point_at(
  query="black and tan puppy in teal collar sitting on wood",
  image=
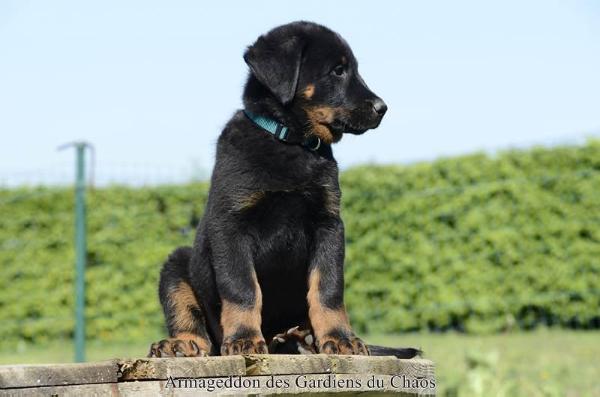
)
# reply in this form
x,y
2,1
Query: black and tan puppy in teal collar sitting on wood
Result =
x,y
269,252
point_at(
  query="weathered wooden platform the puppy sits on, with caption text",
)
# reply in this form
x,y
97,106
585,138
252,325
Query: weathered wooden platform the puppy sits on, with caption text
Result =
x,y
239,375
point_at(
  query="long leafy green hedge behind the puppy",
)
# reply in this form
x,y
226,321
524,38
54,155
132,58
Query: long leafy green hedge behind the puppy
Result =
x,y
473,243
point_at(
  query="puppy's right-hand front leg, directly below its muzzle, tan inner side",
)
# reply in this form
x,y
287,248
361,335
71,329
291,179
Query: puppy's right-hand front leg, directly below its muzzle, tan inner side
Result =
x,y
326,310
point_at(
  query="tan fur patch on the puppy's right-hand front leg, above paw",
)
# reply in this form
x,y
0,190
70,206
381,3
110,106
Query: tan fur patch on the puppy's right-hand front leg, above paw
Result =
x,y
323,319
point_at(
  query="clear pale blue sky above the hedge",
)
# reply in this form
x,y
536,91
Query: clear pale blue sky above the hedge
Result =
x,y
151,84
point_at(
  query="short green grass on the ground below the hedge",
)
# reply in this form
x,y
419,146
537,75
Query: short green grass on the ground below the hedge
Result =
x,y
539,363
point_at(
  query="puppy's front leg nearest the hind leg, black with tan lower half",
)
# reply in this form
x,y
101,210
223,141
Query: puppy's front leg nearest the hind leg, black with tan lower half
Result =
x,y
241,297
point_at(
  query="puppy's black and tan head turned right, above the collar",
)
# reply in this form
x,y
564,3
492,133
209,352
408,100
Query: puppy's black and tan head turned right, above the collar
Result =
x,y
311,72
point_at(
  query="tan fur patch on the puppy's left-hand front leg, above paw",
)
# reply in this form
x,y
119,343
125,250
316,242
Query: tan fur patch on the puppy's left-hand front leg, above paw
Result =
x,y
234,316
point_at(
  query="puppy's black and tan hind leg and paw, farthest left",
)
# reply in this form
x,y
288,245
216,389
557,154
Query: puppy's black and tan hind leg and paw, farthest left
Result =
x,y
188,336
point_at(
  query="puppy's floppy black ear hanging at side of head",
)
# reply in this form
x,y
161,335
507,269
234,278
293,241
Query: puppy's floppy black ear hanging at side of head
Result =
x,y
276,64
